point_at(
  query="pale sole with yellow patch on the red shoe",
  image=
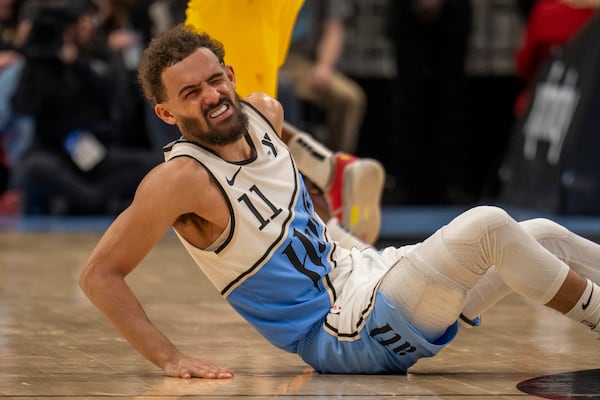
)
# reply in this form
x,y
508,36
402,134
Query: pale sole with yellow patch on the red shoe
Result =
x,y
361,198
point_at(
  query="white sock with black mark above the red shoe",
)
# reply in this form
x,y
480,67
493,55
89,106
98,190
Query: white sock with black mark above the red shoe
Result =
x,y
312,158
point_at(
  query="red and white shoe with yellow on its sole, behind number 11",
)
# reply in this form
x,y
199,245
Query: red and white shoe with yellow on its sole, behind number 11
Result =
x,y
354,195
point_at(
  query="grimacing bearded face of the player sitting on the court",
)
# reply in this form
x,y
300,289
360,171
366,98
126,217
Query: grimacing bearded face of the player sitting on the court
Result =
x,y
202,100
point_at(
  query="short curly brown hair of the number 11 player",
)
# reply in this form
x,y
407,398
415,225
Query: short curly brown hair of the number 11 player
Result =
x,y
167,49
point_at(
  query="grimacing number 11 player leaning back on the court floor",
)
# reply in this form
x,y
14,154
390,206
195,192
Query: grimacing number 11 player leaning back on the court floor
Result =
x,y
232,192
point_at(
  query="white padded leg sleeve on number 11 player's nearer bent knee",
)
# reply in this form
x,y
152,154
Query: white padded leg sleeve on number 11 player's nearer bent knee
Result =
x,y
432,291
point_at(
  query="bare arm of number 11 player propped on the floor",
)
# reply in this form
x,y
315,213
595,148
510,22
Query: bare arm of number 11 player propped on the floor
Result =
x,y
121,249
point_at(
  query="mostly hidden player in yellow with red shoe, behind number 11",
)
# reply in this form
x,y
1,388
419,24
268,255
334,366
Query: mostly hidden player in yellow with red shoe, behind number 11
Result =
x,y
257,35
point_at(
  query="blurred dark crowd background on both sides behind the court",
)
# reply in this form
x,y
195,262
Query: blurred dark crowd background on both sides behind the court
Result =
x,y
463,101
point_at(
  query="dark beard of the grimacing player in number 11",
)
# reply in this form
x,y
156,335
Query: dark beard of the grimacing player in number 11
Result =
x,y
228,132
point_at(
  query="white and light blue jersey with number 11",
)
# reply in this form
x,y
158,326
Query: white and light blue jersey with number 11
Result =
x,y
275,264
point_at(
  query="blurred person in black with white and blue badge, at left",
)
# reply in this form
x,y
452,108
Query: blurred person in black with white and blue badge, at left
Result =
x,y
76,163
